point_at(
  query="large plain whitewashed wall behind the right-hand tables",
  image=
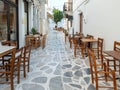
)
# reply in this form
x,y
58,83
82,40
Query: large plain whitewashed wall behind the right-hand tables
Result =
x,y
101,19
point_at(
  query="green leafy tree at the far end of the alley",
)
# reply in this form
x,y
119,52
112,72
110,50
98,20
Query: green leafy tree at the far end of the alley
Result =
x,y
58,15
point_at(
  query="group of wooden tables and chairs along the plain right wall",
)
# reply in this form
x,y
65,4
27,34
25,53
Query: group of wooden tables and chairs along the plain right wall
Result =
x,y
109,60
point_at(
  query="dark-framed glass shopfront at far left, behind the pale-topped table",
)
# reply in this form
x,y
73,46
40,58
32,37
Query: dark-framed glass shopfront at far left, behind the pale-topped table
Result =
x,y
8,20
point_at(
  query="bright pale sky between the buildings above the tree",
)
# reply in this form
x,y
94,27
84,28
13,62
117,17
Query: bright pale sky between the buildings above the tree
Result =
x,y
56,3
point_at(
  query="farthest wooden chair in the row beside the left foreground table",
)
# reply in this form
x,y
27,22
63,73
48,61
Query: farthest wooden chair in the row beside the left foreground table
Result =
x,y
25,60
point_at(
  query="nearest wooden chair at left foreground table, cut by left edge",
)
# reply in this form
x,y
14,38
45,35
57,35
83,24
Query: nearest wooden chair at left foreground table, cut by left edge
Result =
x,y
7,72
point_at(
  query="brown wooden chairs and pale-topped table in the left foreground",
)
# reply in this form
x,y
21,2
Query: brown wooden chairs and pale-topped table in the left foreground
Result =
x,y
11,62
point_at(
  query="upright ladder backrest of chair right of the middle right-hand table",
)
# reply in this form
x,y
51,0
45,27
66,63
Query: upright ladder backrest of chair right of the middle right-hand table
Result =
x,y
100,47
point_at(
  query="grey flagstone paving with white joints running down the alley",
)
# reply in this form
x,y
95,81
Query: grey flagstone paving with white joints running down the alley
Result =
x,y
55,68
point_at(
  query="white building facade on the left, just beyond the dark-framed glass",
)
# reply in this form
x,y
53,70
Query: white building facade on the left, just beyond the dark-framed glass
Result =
x,y
32,13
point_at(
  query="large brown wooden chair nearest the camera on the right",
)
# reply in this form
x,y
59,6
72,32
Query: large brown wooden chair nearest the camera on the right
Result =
x,y
105,74
